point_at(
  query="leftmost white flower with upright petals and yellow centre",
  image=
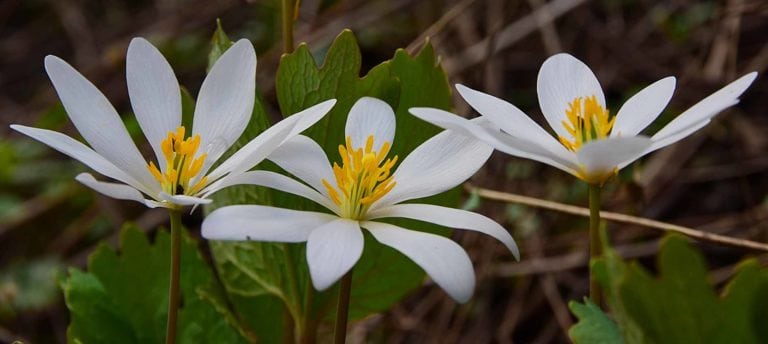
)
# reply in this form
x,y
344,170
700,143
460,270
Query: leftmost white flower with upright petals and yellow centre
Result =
x,y
222,112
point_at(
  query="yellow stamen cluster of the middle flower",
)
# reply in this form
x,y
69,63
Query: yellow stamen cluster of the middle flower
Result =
x,y
363,178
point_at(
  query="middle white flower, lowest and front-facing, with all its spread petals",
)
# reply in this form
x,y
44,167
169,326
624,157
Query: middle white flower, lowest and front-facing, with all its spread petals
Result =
x,y
359,190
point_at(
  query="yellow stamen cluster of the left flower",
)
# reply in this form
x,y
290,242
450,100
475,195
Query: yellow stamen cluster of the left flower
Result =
x,y
181,166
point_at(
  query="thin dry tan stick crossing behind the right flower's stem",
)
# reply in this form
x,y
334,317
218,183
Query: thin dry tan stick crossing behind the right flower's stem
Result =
x,y
606,215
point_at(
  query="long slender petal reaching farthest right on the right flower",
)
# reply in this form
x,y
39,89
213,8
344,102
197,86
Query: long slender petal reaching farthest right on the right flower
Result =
x,y
706,108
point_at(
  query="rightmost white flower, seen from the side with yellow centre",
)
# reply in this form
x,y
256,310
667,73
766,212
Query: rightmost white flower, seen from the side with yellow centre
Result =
x,y
590,144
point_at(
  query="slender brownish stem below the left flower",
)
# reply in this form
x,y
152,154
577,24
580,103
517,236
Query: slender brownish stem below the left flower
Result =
x,y
173,290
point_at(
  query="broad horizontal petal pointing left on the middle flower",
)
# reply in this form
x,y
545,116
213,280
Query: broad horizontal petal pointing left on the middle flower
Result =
x,y
262,223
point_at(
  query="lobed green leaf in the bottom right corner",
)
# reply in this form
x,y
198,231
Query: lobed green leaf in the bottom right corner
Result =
x,y
680,305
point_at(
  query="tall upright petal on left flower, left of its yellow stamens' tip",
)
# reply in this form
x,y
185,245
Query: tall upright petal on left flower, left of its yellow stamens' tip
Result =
x,y
154,93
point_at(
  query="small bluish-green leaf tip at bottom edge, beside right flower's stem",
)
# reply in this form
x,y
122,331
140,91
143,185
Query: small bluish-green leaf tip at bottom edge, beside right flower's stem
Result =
x,y
594,326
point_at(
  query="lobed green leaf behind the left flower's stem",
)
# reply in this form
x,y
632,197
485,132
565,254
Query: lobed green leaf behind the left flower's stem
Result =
x,y
123,297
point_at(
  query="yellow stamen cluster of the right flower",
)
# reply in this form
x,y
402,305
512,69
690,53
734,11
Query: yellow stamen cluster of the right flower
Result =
x,y
586,120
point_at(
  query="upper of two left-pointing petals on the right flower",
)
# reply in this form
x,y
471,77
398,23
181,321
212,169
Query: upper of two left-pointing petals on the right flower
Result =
x,y
508,118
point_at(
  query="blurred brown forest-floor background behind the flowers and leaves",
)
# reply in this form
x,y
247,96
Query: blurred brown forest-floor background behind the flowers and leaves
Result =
x,y
714,181
